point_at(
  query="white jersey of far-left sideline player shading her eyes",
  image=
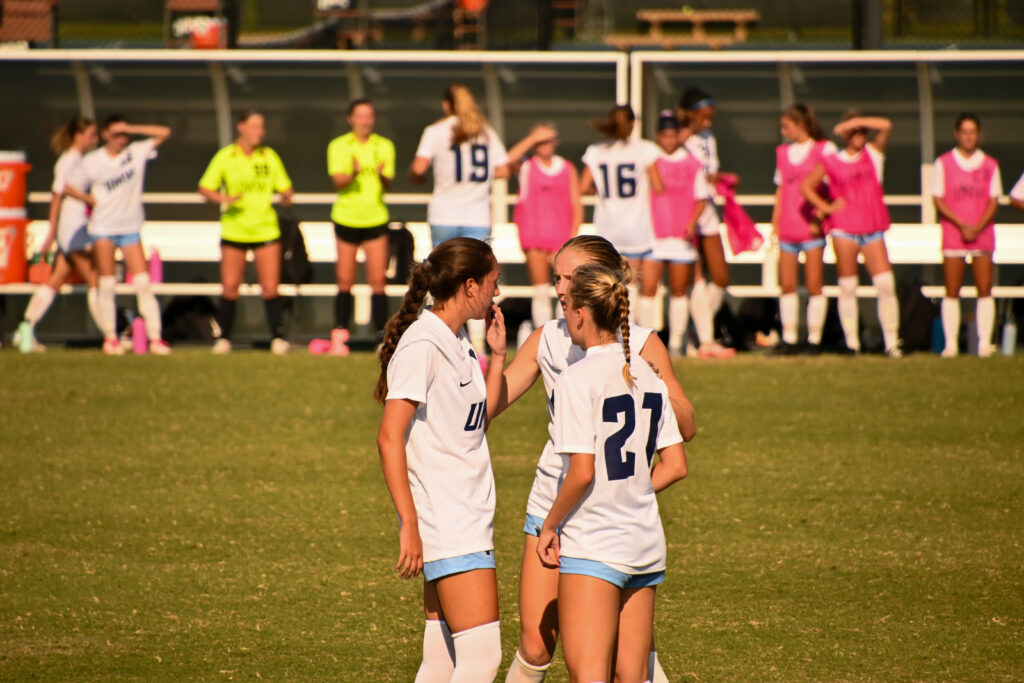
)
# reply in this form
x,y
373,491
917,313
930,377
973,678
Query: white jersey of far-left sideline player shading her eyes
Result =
x,y
117,185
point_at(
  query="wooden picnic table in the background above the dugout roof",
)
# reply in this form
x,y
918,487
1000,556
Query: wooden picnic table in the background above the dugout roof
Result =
x,y
697,19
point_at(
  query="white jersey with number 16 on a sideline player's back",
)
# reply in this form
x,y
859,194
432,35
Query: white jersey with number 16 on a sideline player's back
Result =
x,y
623,211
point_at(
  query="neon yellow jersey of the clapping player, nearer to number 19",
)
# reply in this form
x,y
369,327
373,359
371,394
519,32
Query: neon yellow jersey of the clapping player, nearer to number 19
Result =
x,y
361,203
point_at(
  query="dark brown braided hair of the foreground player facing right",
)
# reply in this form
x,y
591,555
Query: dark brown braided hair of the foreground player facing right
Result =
x,y
448,268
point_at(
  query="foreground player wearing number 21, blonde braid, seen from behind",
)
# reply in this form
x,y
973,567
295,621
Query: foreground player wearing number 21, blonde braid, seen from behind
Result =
x,y
604,531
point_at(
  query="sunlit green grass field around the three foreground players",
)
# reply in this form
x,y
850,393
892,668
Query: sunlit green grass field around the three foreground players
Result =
x,y
199,518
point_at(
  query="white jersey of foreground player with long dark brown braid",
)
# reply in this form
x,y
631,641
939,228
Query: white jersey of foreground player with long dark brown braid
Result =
x,y
446,448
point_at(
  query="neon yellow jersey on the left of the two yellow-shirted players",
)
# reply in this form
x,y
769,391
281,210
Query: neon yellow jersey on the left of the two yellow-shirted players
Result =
x,y
255,179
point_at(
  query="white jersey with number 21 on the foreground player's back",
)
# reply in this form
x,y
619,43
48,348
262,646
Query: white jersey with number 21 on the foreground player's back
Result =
x,y
617,522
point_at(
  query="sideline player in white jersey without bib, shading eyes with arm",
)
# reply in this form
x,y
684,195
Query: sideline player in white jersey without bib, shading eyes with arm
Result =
x,y
110,180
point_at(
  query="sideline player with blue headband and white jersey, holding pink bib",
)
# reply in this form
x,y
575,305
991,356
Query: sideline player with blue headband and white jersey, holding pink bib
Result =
x,y
713,272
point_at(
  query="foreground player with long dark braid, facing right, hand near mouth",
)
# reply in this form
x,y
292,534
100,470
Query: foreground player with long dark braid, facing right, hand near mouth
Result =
x,y
436,459
